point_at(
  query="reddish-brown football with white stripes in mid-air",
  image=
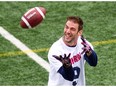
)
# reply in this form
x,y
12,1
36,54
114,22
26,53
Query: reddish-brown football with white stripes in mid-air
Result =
x,y
33,17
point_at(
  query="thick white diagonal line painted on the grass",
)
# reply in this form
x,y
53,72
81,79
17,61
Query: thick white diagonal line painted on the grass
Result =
x,y
24,48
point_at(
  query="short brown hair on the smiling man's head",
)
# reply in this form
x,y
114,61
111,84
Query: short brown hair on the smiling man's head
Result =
x,y
76,19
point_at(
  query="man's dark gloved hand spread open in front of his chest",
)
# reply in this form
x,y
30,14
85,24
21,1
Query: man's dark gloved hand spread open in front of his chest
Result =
x,y
65,60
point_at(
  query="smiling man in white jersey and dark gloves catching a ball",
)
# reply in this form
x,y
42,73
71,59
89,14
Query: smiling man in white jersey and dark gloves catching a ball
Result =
x,y
68,55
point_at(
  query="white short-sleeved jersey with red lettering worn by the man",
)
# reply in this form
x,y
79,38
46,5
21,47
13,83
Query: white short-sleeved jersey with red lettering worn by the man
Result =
x,y
77,61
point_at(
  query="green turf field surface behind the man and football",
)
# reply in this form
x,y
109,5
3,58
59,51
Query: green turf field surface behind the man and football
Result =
x,y
99,25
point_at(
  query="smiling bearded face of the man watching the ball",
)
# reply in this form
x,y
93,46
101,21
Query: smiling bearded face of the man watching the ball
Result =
x,y
70,33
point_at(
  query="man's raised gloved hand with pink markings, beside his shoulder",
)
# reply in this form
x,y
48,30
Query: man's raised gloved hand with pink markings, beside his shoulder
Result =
x,y
86,49
